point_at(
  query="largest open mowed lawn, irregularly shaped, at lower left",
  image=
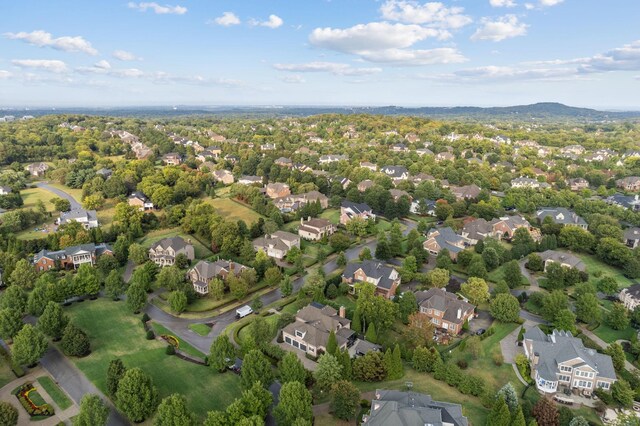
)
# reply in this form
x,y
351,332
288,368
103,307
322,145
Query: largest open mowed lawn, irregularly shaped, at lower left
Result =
x,y
116,333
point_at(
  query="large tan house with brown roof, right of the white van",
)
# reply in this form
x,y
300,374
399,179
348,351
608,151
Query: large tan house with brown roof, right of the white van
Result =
x,y
313,324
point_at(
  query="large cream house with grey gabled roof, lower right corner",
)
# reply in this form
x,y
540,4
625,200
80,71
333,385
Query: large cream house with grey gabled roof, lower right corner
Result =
x,y
560,360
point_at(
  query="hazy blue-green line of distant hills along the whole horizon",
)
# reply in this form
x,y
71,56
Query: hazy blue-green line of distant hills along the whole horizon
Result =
x,y
542,111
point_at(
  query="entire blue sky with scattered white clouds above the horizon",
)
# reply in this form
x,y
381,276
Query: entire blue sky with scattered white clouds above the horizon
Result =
x,y
320,52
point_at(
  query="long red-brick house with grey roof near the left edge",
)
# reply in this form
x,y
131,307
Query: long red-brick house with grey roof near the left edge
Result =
x,y
70,257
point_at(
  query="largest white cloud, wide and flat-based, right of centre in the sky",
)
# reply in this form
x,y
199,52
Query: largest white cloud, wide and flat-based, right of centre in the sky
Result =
x,y
386,43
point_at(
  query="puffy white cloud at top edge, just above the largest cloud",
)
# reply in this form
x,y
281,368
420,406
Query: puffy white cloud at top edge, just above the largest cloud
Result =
x,y
433,14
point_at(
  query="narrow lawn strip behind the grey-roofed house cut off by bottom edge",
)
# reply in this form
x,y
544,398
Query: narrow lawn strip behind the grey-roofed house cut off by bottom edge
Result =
x,y
440,391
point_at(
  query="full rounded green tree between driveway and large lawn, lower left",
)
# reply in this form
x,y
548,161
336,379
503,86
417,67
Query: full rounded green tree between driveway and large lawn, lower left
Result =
x,y
136,397
